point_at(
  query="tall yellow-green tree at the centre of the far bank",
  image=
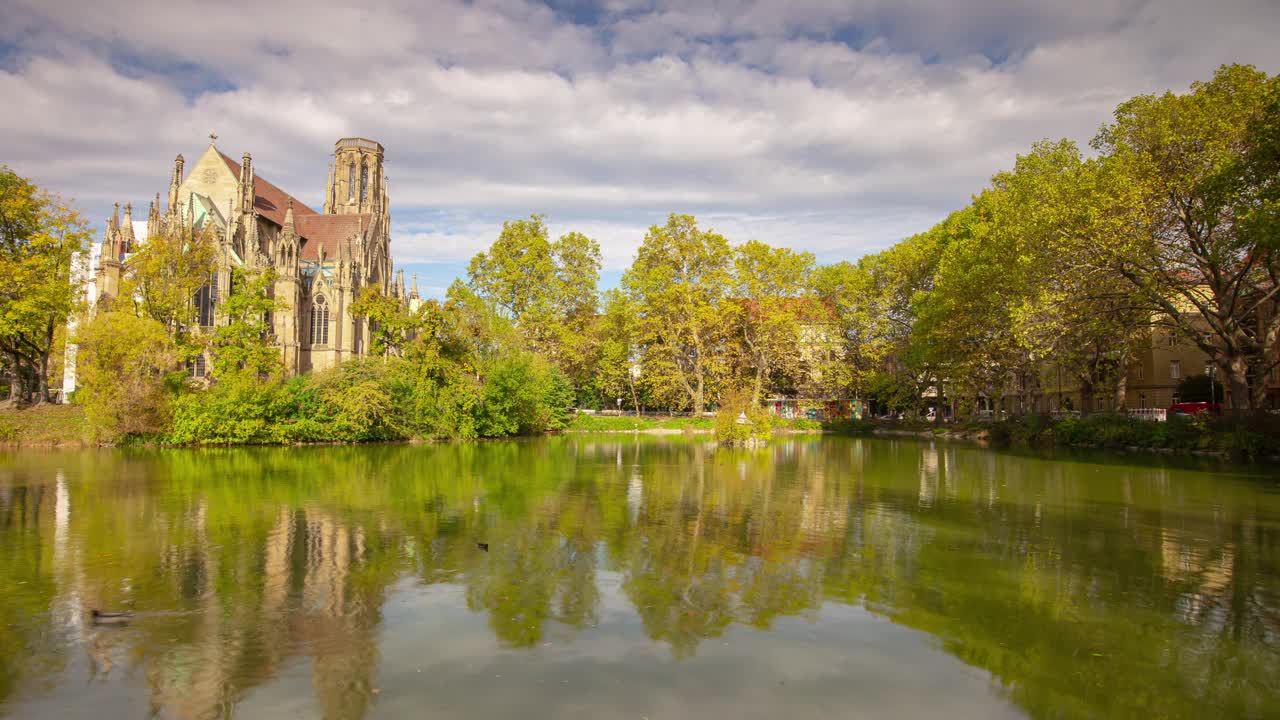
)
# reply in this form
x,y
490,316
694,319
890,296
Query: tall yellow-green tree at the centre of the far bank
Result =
x,y
679,284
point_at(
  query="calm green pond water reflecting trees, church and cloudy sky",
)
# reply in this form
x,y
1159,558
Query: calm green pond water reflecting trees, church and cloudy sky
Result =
x,y
637,578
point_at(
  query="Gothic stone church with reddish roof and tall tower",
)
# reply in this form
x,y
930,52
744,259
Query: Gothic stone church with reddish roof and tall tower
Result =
x,y
322,261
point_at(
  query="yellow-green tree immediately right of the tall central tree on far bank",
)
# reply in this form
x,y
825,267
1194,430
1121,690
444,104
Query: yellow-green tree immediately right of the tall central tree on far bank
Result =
x,y
770,284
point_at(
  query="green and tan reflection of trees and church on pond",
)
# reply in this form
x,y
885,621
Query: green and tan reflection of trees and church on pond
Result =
x,y
1084,590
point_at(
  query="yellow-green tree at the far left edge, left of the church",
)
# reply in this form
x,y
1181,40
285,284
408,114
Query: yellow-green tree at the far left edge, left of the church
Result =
x,y
40,238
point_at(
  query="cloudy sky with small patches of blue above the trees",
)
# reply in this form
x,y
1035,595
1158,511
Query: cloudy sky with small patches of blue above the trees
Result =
x,y
835,127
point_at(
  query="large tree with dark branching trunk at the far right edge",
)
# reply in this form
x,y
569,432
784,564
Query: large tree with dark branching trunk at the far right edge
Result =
x,y
1194,161
